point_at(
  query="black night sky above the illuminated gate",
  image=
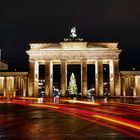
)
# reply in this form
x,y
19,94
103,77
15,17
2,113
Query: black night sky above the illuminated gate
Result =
x,y
22,22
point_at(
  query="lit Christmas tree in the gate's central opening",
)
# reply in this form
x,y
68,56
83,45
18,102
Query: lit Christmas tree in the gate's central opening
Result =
x,y
72,88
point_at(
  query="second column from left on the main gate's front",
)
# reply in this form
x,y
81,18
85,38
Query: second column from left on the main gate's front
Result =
x,y
48,78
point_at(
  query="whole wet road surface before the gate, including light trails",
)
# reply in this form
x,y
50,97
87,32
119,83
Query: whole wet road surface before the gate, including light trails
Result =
x,y
30,120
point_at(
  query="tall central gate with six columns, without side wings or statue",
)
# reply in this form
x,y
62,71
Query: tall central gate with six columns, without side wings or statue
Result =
x,y
74,52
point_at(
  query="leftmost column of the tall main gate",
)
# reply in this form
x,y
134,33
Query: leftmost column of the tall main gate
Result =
x,y
31,78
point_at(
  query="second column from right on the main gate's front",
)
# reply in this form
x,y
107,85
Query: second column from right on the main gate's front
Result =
x,y
99,77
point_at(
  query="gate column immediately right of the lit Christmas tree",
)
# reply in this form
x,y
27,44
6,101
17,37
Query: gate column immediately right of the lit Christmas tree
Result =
x,y
84,78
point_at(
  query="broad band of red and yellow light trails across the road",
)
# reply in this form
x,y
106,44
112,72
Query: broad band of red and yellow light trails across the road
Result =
x,y
95,113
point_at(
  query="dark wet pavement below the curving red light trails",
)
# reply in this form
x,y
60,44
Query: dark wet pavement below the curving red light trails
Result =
x,y
31,123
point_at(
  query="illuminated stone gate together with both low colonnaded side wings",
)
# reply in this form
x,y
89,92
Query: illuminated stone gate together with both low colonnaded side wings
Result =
x,y
121,83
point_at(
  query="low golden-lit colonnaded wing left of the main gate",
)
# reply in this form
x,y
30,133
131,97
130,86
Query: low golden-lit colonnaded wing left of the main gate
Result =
x,y
14,84
